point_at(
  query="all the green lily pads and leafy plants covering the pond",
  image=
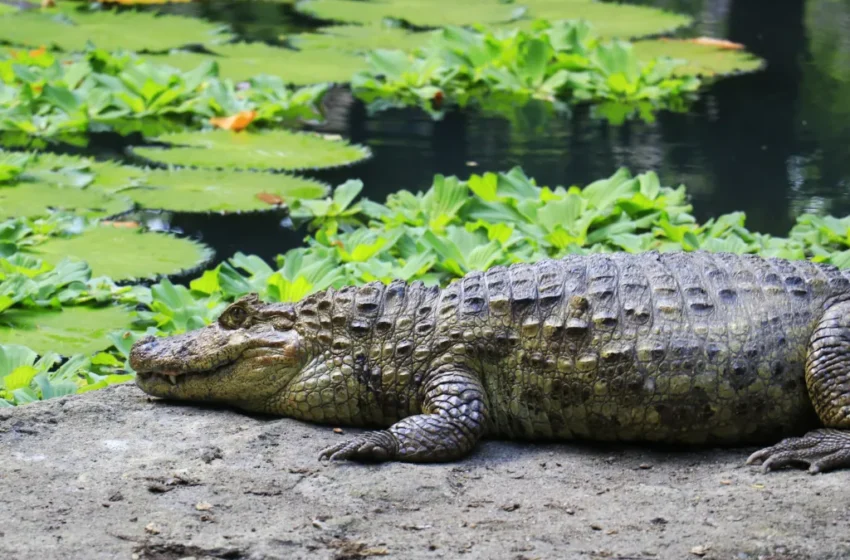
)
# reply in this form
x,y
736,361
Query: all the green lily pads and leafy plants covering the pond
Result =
x,y
227,130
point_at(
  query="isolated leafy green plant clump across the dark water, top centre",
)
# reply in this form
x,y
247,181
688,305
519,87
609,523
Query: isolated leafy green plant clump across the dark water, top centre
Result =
x,y
560,62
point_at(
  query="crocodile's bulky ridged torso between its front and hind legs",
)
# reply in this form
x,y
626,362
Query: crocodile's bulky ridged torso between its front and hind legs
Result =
x,y
676,347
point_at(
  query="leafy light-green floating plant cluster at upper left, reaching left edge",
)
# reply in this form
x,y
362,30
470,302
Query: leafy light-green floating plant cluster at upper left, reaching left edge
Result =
x,y
44,95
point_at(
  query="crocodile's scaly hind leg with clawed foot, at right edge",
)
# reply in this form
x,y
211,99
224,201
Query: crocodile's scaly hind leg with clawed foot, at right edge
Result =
x,y
828,381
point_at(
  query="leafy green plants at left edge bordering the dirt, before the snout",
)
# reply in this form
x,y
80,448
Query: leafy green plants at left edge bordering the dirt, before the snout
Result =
x,y
25,377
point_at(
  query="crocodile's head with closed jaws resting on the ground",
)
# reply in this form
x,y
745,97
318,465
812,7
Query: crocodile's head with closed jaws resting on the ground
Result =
x,y
245,358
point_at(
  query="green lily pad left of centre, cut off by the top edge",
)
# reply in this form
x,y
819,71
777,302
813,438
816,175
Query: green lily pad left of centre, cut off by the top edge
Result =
x,y
434,13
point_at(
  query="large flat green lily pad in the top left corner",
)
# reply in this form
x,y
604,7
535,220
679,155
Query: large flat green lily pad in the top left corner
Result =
x,y
130,31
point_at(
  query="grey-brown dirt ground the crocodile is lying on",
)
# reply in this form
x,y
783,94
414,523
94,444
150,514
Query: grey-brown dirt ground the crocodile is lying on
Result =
x,y
114,474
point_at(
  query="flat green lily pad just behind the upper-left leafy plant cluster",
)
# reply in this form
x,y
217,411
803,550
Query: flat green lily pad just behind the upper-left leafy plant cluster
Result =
x,y
241,61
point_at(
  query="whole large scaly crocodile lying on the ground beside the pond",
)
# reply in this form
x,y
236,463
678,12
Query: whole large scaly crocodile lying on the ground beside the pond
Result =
x,y
683,348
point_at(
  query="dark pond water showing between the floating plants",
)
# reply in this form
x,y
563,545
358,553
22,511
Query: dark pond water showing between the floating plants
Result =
x,y
773,144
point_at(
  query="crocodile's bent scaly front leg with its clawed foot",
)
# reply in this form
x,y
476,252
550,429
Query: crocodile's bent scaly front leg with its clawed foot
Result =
x,y
449,427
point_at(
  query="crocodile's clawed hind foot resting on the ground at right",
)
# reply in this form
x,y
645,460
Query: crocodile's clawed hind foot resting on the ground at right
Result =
x,y
822,450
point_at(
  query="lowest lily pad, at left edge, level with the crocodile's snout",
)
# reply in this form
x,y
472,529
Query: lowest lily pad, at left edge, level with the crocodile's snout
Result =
x,y
71,330
